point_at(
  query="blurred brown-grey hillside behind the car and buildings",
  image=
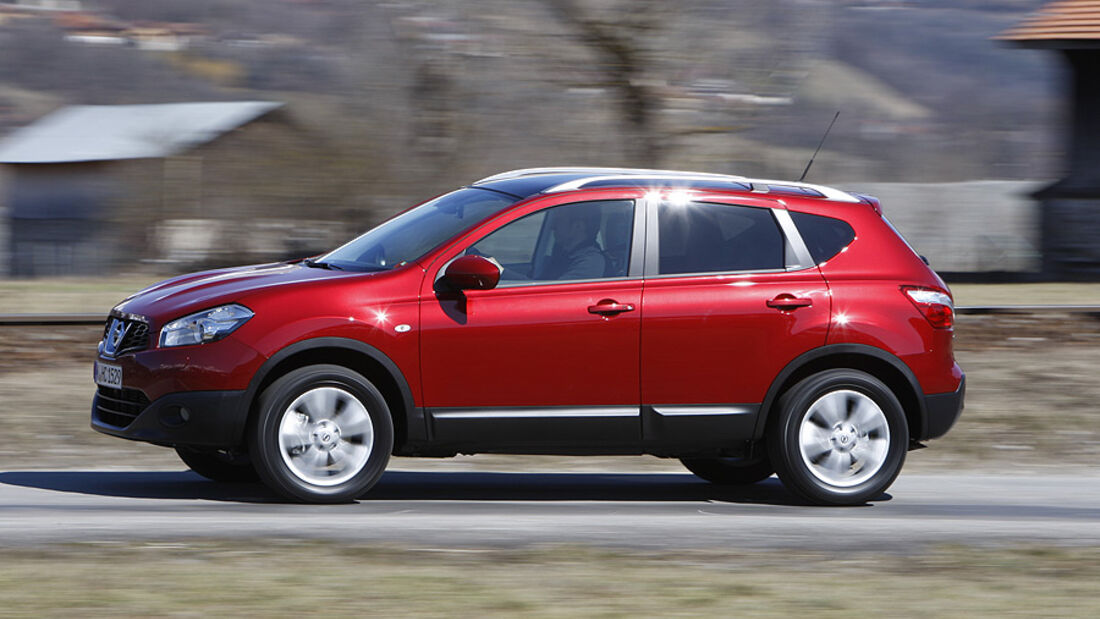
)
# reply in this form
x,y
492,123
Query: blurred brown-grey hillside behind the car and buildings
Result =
x,y
457,86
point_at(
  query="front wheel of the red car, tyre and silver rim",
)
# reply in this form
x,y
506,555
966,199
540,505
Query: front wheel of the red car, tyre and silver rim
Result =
x,y
327,463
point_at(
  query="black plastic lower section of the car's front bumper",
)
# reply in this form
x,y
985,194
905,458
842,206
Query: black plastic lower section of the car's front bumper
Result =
x,y
188,418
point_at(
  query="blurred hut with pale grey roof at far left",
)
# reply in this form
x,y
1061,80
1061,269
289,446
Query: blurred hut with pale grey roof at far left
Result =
x,y
80,182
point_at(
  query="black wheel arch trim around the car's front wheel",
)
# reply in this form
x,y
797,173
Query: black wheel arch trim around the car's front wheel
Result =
x,y
365,359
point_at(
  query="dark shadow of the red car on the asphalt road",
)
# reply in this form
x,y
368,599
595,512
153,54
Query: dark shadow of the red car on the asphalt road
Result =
x,y
422,487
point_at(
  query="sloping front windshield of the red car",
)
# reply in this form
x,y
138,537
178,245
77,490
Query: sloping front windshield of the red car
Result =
x,y
414,234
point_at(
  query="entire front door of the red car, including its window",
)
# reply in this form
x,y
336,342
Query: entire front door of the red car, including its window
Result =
x,y
548,360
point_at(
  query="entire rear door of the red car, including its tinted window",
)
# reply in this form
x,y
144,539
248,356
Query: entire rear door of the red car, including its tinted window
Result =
x,y
731,297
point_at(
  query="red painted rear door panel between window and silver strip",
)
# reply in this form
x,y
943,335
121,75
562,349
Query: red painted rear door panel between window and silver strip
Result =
x,y
720,340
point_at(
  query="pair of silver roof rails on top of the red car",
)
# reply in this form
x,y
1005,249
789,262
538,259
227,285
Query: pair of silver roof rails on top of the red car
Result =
x,y
630,174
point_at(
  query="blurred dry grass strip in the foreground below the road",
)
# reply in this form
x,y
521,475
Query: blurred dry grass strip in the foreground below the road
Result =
x,y
281,579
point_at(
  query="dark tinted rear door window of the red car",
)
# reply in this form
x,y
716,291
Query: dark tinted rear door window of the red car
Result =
x,y
706,238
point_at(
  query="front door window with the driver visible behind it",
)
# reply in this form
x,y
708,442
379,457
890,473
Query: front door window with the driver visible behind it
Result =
x,y
565,244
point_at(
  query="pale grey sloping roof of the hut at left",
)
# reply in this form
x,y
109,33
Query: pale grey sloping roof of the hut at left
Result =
x,y
90,134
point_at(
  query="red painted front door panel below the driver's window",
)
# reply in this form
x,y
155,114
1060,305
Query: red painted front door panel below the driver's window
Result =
x,y
532,346
